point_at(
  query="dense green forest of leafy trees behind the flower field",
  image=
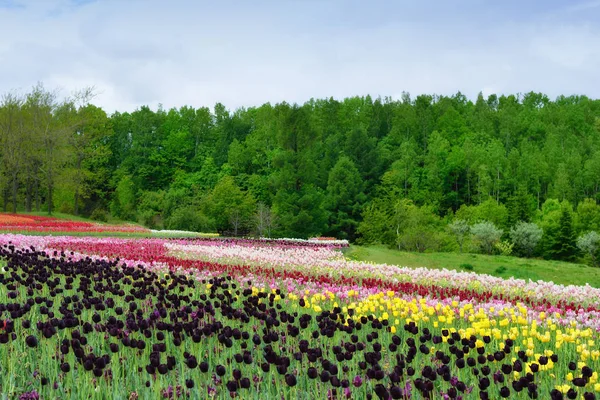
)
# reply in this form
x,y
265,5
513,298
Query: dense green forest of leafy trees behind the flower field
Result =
x,y
507,174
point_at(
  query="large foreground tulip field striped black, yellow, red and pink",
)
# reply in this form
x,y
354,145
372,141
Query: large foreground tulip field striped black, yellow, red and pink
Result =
x,y
200,318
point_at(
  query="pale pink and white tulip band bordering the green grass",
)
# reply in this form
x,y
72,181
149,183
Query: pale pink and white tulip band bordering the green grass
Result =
x,y
332,263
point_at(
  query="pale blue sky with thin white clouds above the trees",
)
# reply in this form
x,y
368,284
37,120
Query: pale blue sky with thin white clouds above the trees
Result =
x,y
248,52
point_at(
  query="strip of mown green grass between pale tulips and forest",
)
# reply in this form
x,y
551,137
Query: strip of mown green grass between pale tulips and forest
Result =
x,y
501,266
